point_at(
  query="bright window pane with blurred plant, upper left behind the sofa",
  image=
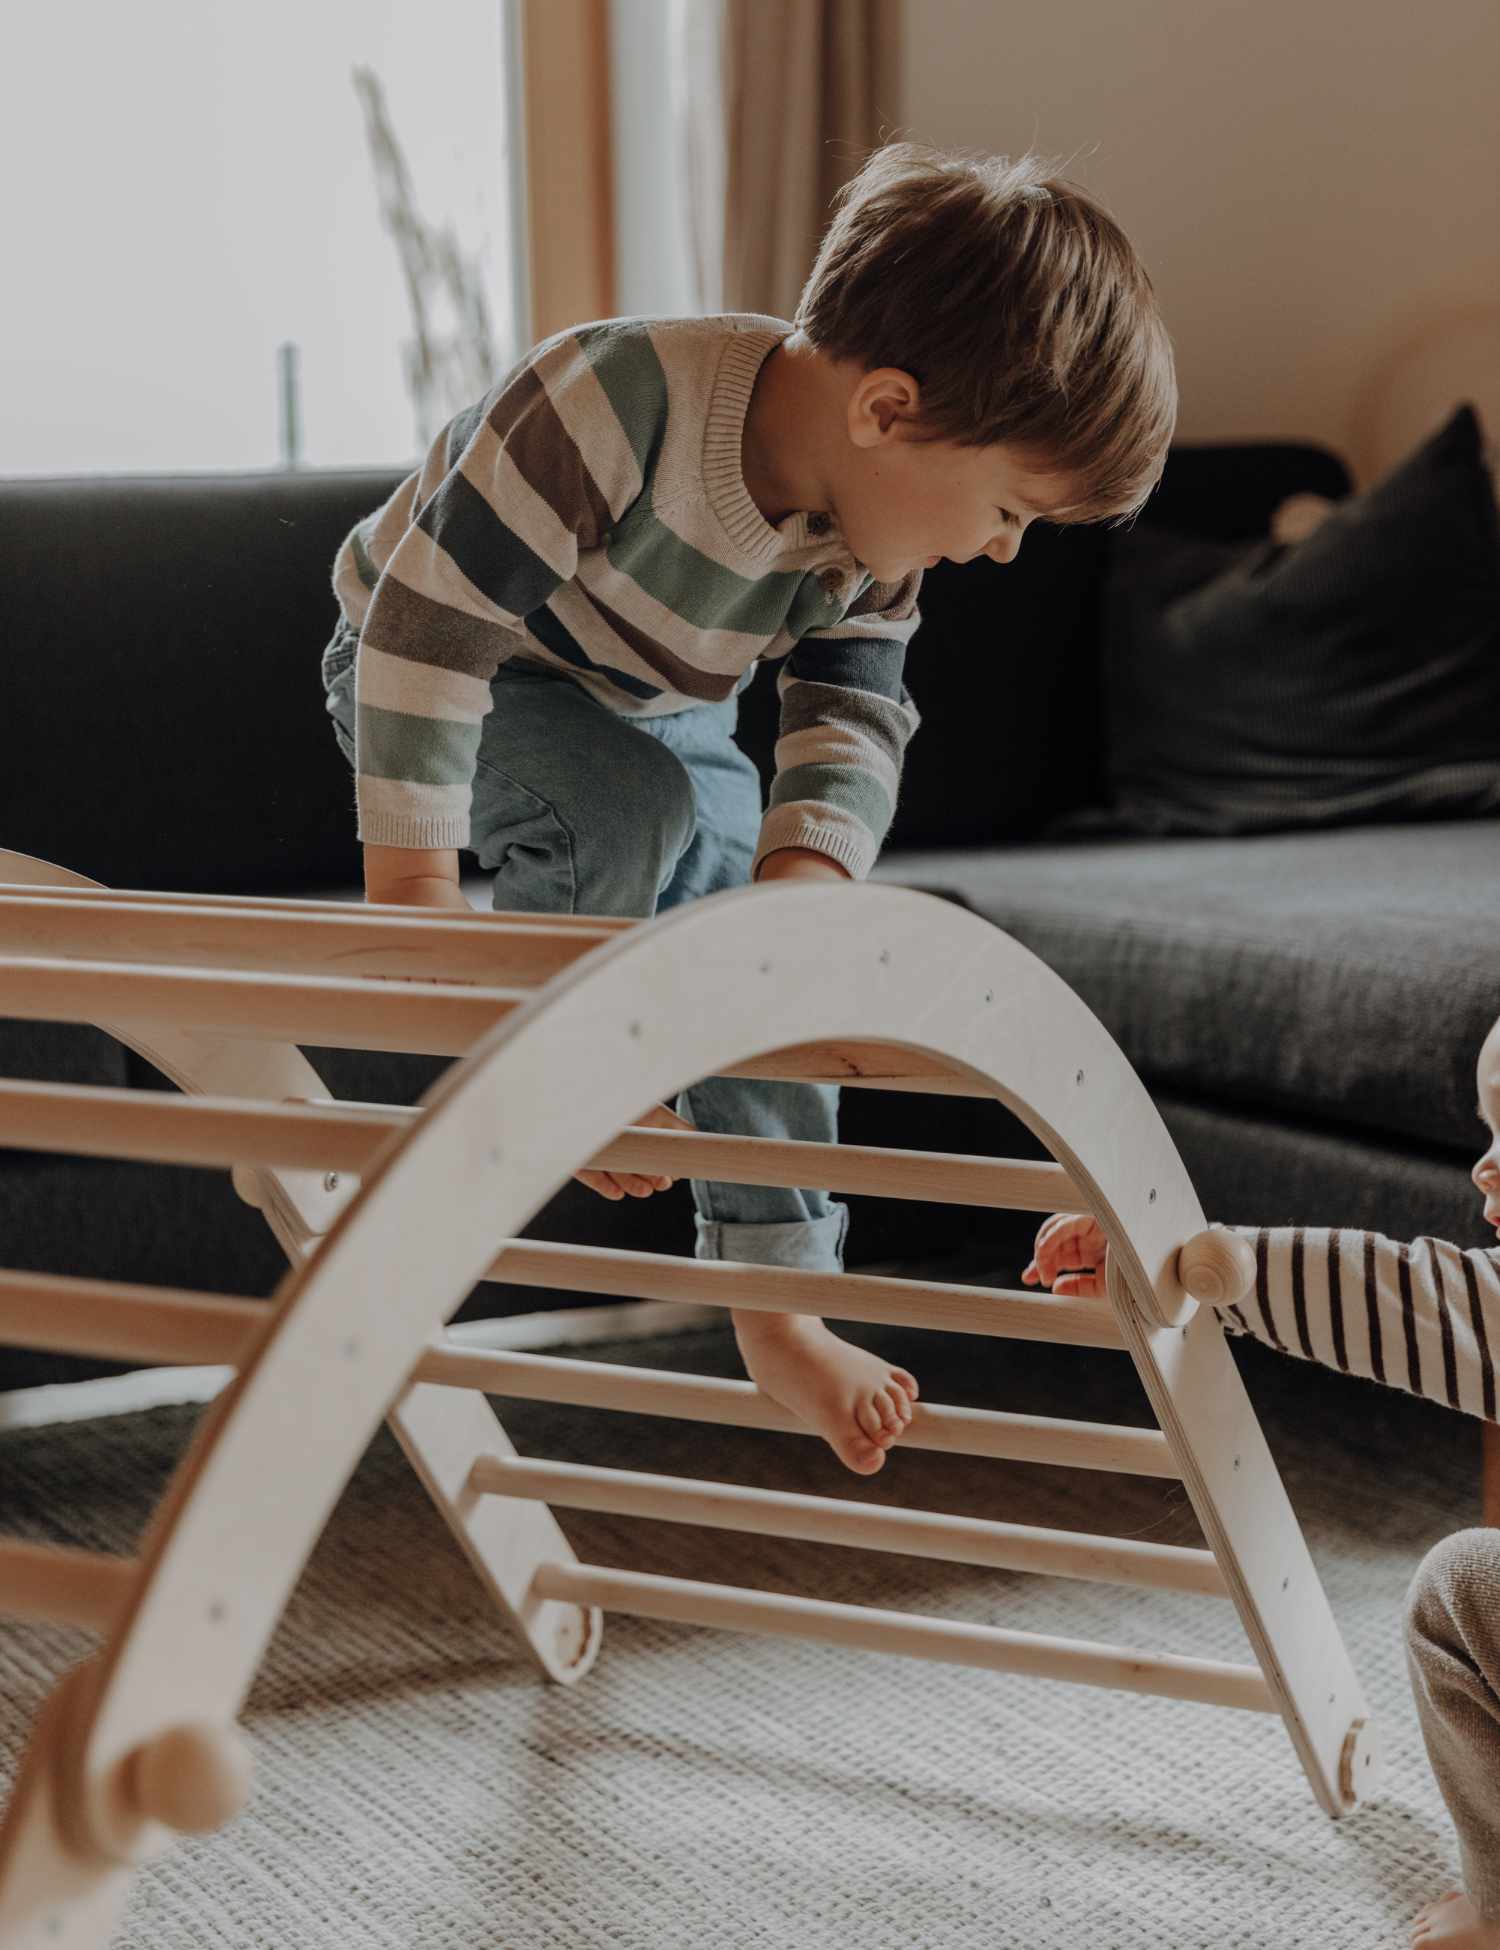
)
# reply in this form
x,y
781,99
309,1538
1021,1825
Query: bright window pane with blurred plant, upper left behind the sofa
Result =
x,y
198,266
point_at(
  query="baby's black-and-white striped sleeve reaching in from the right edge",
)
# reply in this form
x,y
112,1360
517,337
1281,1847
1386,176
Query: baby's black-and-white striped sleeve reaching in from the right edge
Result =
x,y
1423,1317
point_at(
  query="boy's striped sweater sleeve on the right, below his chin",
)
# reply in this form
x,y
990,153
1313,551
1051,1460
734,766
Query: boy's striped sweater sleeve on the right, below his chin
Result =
x,y
846,724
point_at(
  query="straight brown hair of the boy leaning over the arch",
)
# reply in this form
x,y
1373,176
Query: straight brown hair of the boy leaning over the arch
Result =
x,y
1019,307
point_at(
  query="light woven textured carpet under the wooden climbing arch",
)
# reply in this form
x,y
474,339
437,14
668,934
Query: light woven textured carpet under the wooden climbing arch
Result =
x,y
418,1789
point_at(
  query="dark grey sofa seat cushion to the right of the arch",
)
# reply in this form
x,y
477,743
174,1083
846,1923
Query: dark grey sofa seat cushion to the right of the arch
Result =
x,y
1345,976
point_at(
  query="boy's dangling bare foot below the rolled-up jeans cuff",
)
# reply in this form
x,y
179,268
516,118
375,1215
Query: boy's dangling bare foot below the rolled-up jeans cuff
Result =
x,y
855,1401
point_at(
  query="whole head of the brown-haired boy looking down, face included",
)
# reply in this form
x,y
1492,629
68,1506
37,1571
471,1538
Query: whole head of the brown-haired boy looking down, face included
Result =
x,y
1004,346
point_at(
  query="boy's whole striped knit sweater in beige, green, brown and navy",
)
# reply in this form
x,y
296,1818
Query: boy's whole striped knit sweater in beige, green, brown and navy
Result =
x,y
592,516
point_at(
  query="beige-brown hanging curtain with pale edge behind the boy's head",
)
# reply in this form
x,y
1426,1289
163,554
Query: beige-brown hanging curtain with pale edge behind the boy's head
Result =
x,y
781,104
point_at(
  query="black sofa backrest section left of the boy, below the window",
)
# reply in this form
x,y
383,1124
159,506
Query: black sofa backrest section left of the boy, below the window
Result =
x,y
163,717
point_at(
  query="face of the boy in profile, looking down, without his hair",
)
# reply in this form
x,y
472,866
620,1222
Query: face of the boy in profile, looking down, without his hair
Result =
x,y
910,504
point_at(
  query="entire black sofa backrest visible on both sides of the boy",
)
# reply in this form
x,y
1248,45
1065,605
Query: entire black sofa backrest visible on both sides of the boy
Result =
x,y
163,719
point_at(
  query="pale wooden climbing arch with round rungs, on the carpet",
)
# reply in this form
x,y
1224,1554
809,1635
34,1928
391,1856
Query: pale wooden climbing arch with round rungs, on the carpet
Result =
x,y
567,1031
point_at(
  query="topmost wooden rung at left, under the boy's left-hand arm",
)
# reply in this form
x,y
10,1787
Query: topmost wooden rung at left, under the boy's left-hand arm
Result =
x,y
348,943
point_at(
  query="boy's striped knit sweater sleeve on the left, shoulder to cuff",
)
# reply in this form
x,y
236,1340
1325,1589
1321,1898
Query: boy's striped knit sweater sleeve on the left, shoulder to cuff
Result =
x,y
506,500
